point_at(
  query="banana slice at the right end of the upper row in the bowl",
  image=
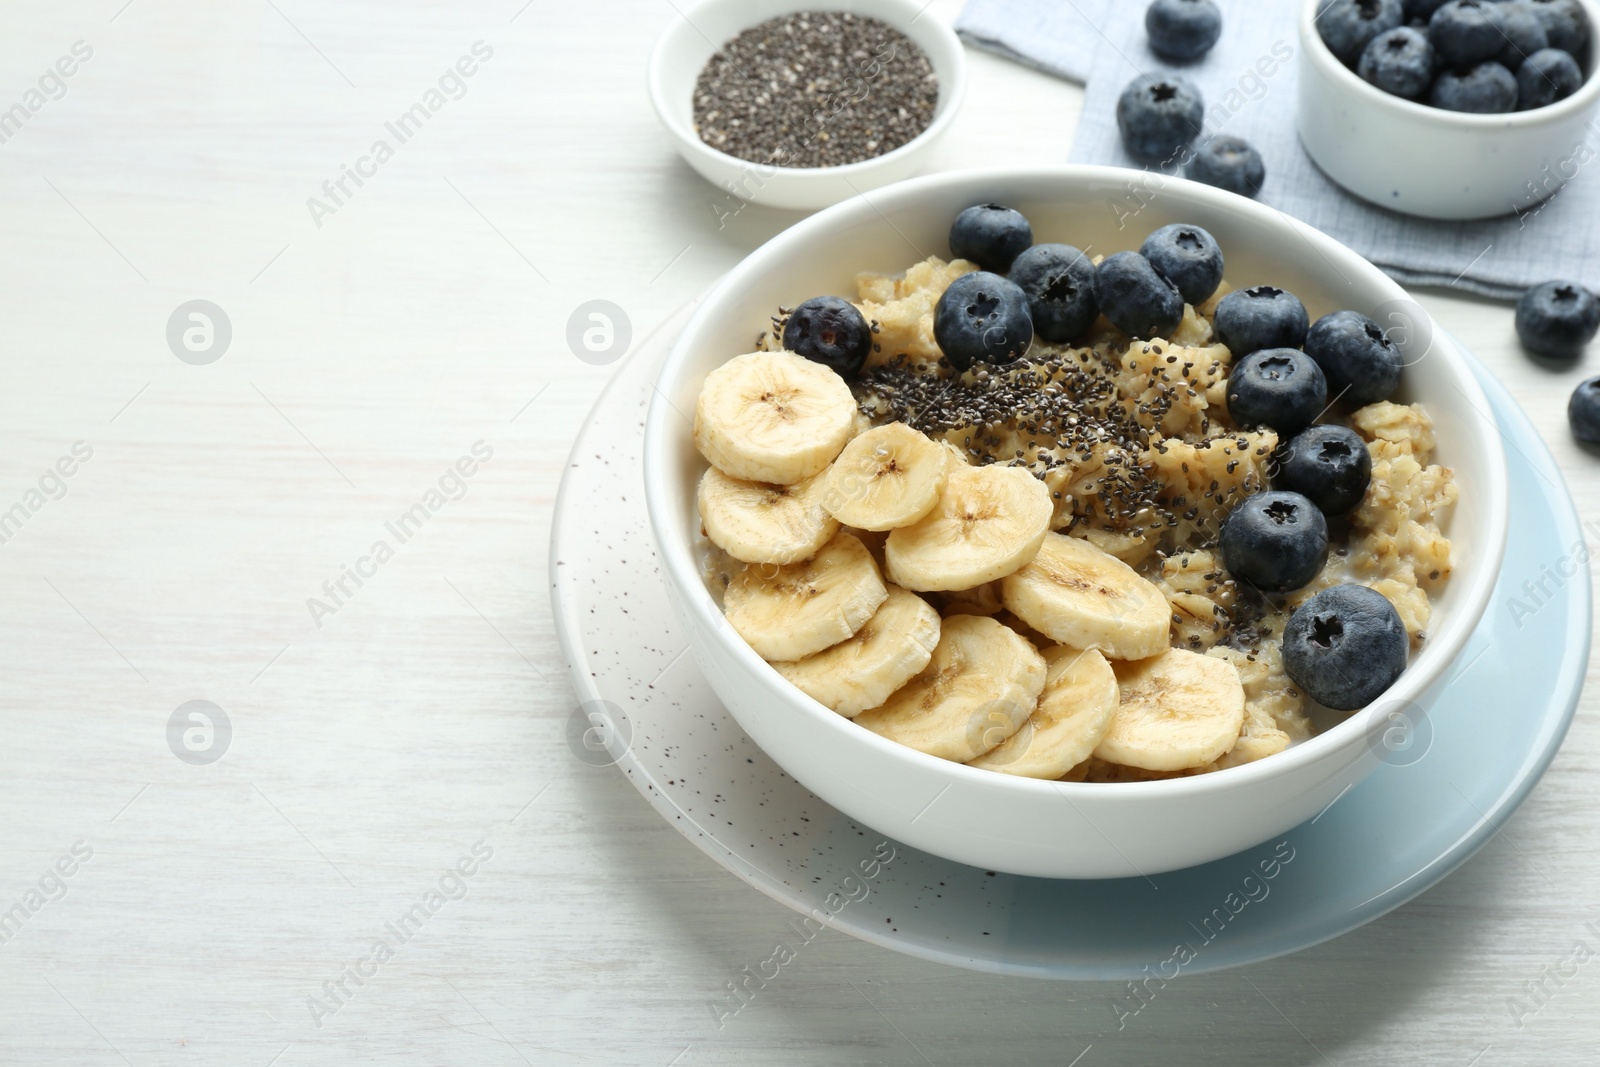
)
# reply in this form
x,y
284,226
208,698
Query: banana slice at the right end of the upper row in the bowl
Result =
x,y
1086,597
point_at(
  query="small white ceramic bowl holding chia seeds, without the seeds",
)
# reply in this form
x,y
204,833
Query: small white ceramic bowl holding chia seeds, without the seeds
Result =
x,y
682,52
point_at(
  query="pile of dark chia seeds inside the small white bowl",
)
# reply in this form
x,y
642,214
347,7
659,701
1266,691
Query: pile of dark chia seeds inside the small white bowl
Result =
x,y
815,89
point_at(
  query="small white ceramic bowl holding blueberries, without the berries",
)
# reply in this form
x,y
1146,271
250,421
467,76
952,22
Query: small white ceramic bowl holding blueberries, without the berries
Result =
x,y
1433,162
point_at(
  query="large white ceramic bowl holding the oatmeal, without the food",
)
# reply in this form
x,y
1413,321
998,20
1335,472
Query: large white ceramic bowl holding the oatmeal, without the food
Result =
x,y
996,821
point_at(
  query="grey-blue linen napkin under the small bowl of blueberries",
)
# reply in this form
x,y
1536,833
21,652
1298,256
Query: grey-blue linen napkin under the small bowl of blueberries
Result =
x,y
1103,44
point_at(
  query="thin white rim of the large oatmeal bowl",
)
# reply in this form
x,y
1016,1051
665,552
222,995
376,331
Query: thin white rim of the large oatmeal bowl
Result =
x,y
684,575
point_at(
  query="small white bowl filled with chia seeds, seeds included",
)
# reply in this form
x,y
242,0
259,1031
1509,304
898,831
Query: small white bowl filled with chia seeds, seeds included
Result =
x,y
806,103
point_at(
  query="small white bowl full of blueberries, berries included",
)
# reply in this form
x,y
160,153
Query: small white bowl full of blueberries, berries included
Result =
x,y
1460,110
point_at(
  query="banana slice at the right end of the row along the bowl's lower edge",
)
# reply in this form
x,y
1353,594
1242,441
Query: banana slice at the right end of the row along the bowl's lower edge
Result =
x,y
1178,711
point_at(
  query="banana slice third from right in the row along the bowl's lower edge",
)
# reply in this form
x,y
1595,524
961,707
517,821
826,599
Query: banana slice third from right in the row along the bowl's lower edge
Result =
x,y
978,690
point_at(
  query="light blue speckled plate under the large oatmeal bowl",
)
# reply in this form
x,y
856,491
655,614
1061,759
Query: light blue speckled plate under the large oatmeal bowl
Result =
x,y
1476,757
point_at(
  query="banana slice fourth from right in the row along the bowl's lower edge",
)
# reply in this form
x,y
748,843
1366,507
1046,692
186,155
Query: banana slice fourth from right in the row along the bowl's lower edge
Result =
x,y
882,657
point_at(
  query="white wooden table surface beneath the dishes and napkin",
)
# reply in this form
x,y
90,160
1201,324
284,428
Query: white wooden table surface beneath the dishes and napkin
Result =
x,y
382,738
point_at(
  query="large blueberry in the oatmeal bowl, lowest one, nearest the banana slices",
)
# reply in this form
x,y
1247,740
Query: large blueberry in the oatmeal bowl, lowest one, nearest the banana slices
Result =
x,y
1345,647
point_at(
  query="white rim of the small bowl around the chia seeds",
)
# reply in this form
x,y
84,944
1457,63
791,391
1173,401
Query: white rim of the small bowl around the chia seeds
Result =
x,y
906,12
